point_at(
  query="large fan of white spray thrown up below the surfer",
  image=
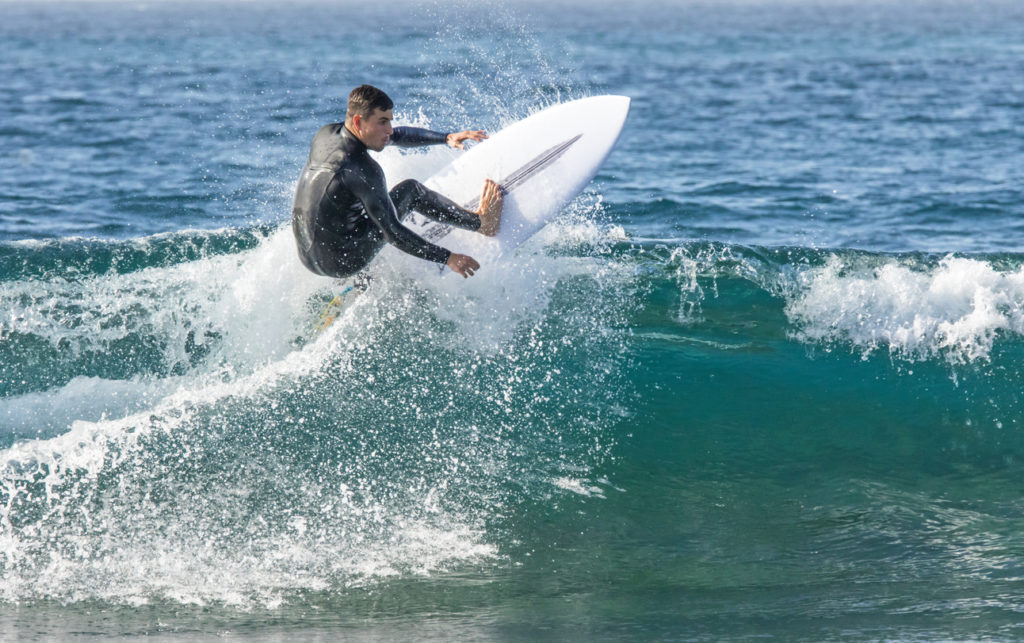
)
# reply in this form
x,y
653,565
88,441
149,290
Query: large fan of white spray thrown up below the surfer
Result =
x,y
393,444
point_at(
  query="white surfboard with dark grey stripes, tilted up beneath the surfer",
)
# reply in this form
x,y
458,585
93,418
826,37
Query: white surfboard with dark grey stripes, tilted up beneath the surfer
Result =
x,y
541,162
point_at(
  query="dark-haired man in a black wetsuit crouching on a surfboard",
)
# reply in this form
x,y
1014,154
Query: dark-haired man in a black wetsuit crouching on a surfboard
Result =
x,y
344,212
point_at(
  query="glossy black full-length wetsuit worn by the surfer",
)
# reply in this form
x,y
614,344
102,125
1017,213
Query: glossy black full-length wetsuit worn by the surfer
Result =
x,y
345,215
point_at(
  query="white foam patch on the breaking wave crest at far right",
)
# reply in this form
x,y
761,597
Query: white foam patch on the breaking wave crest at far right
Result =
x,y
955,311
